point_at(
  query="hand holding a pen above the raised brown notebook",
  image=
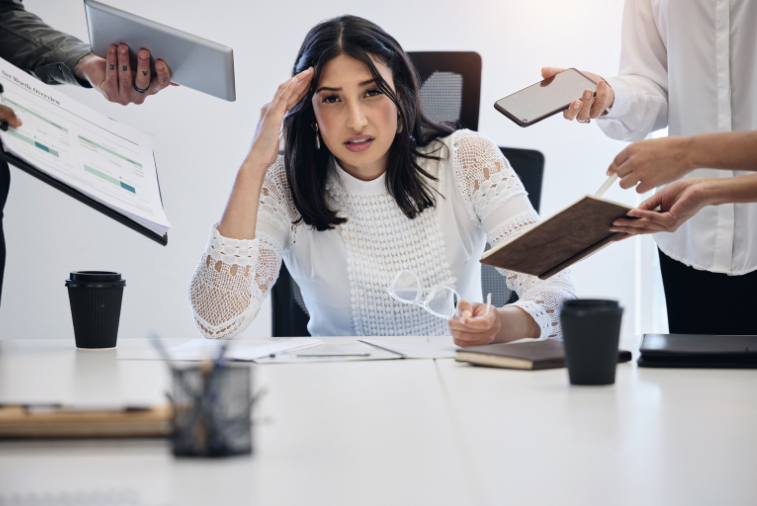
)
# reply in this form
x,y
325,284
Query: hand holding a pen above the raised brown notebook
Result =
x,y
651,163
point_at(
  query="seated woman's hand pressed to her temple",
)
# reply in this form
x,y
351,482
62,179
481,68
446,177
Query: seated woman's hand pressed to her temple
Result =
x,y
265,142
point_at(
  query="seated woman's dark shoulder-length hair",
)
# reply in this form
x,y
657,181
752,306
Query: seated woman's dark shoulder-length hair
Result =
x,y
307,167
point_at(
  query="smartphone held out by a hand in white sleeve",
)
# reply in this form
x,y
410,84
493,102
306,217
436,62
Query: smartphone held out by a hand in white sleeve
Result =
x,y
543,99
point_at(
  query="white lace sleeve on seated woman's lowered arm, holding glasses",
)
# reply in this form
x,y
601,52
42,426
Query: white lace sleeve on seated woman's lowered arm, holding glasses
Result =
x,y
496,199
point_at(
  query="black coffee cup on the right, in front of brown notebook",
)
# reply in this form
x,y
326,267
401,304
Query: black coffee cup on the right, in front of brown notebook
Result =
x,y
591,331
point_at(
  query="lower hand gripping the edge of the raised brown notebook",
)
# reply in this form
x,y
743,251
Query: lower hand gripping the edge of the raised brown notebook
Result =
x,y
678,202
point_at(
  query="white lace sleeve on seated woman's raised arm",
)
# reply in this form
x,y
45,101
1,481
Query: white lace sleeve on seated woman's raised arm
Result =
x,y
234,276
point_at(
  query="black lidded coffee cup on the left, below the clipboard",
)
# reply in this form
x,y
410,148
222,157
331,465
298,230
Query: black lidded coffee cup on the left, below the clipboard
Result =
x,y
95,298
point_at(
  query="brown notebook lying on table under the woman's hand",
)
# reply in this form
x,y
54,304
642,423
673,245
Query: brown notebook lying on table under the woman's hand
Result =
x,y
546,354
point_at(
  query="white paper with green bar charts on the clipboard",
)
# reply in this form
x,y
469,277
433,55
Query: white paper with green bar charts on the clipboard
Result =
x,y
108,161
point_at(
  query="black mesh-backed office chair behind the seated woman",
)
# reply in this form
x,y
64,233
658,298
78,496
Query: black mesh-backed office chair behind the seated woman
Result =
x,y
450,92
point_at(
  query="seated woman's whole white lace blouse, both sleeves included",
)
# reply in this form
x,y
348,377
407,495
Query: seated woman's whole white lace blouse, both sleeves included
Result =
x,y
344,273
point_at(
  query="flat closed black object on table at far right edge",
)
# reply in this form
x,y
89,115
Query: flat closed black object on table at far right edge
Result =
x,y
692,350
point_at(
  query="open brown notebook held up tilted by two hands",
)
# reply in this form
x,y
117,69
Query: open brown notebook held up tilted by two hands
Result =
x,y
543,250
